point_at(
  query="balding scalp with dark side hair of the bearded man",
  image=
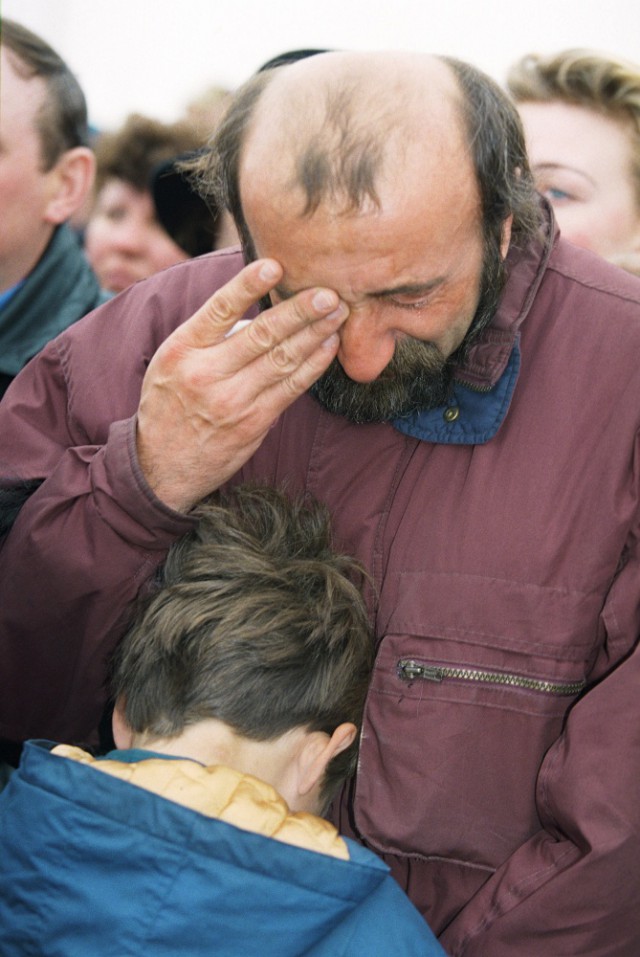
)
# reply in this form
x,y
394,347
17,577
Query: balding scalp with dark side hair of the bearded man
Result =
x,y
338,128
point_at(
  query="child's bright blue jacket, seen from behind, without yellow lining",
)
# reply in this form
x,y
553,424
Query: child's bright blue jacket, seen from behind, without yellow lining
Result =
x,y
91,864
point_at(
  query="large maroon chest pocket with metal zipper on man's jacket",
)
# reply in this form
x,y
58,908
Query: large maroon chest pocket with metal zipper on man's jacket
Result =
x,y
452,743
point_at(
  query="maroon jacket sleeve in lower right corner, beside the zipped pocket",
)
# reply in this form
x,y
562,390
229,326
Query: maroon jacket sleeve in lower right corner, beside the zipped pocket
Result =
x,y
574,887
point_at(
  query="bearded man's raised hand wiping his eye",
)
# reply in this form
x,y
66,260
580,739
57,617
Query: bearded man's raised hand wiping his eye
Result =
x,y
208,399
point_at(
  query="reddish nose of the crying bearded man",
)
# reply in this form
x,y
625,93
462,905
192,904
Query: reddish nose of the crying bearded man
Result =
x,y
366,346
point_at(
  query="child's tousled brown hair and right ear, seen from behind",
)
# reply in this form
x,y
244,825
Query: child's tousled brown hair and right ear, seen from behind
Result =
x,y
257,624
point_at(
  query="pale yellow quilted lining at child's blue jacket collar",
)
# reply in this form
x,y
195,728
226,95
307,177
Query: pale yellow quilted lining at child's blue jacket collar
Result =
x,y
222,793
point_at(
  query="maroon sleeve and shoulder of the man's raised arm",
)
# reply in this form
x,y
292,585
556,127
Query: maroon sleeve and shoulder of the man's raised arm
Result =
x,y
93,533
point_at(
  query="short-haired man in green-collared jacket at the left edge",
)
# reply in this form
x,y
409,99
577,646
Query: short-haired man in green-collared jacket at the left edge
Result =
x,y
46,172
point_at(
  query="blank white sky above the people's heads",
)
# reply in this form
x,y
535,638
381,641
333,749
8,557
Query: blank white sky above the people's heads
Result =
x,y
154,56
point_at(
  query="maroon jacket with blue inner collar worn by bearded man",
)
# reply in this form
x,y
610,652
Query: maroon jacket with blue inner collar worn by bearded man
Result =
x,y
500,761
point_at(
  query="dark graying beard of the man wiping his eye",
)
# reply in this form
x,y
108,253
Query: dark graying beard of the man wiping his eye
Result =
x,y
418,377
